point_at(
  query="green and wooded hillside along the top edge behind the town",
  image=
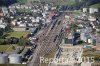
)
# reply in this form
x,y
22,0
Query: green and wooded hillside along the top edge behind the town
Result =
x,y
73,4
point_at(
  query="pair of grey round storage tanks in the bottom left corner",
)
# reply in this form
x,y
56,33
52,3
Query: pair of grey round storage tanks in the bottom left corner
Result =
x,y
10,58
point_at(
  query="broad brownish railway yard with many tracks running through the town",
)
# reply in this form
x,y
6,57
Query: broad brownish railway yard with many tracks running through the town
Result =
x,y
46,43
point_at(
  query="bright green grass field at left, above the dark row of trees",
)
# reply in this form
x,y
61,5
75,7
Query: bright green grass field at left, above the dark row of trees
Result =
x,y
17,34
